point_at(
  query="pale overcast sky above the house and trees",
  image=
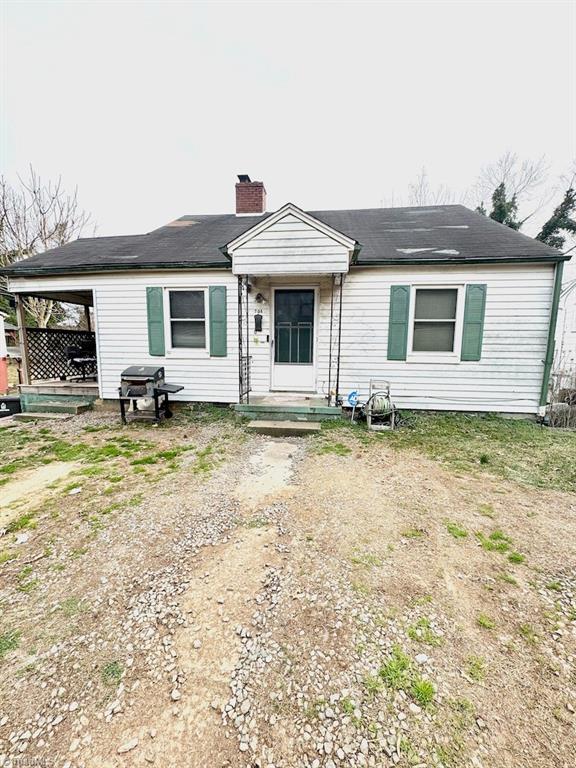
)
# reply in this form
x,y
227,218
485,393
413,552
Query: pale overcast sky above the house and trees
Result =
x,y
152,108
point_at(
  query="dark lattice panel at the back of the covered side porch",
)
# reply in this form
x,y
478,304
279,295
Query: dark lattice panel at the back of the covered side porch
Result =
x,y
47,353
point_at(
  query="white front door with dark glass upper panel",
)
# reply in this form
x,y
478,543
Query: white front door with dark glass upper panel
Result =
x,y
293,340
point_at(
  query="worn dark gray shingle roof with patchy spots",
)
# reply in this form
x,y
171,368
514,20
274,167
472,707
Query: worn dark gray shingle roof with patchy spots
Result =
x,y
442,233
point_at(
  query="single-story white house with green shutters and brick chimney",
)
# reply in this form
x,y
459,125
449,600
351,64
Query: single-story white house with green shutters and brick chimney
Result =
x,y
456,311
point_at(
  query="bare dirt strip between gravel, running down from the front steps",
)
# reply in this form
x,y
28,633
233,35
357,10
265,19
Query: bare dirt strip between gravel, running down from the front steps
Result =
x,y
186,730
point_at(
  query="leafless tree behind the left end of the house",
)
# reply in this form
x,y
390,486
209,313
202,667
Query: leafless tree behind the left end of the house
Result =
x,y
34,218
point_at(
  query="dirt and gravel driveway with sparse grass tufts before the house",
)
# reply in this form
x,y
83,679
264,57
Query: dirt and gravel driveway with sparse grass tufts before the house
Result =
x,y
196,596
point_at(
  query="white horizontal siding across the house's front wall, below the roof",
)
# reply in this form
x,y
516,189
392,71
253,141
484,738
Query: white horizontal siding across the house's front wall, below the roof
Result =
x,y
507,378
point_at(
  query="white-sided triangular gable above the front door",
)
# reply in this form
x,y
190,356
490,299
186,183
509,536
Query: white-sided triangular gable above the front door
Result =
x,y
290,247
